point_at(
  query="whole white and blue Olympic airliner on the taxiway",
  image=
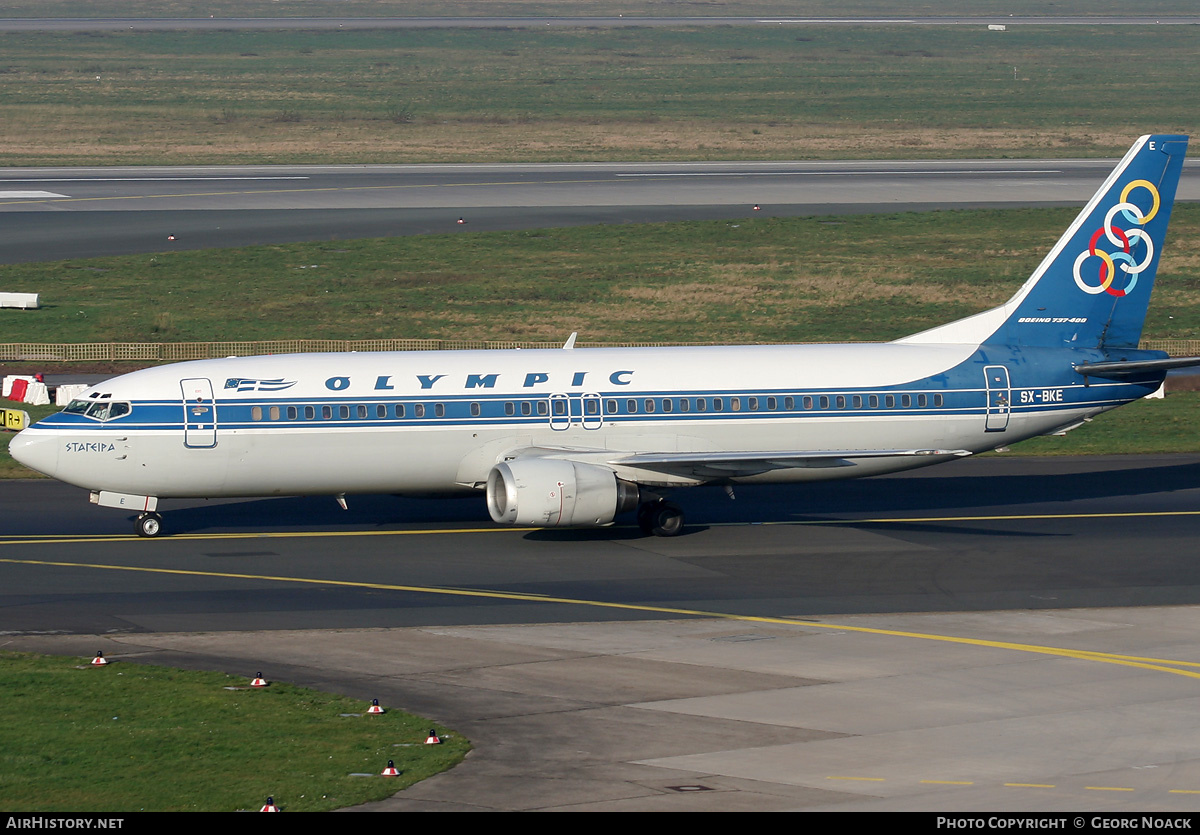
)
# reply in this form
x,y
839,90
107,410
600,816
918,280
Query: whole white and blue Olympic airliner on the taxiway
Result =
x,y
578,437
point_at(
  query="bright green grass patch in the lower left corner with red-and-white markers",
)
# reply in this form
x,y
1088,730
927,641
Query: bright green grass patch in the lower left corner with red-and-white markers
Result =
x,y
139,738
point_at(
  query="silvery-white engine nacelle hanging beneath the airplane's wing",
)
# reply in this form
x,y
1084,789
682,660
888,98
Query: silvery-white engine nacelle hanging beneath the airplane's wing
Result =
x,y
551,492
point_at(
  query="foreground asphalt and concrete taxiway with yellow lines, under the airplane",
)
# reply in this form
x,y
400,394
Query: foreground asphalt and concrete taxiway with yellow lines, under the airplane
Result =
x,y
998,634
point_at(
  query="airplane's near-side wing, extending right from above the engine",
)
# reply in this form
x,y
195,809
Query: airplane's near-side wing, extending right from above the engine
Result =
x,y
741,465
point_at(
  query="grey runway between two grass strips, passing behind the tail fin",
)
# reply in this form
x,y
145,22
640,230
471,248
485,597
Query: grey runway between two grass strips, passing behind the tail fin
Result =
x,y
79,213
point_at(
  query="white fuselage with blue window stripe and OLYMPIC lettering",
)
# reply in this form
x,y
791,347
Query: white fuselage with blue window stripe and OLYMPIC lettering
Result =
x,y
329,424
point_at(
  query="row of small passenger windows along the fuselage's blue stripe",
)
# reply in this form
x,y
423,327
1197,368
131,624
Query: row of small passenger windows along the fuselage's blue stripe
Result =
x,y
613,407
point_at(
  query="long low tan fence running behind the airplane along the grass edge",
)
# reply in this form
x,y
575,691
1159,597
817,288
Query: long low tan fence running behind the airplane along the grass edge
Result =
x,y
171,352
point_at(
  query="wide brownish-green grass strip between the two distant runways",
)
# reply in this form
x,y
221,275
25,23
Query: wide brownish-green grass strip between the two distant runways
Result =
x,y
584,94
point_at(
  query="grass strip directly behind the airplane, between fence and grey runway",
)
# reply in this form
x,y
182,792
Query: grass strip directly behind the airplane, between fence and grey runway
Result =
x,y
761,280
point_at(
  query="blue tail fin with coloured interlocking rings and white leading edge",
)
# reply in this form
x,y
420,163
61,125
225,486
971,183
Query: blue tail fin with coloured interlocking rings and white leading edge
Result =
x,y
1094,289
